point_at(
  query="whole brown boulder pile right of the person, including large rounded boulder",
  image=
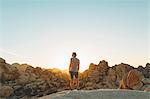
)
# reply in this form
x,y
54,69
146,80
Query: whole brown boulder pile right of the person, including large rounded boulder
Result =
x,y
121,76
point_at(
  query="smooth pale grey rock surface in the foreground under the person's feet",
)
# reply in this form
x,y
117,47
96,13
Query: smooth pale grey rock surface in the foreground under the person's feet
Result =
x,y
99,94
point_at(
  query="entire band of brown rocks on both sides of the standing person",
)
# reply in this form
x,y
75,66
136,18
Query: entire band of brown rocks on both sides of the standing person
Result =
x,y
20,80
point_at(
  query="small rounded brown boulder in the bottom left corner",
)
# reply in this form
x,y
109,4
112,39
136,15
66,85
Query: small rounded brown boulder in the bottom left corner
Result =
x,y
6,91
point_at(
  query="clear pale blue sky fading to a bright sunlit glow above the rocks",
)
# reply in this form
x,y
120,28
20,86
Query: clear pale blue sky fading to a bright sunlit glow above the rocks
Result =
x,y
46,32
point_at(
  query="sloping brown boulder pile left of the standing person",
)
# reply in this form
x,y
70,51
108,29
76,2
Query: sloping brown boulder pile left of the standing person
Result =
x,y
17,81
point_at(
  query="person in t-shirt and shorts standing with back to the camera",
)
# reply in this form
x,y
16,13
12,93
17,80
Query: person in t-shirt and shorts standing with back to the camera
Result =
x,y
73,70
